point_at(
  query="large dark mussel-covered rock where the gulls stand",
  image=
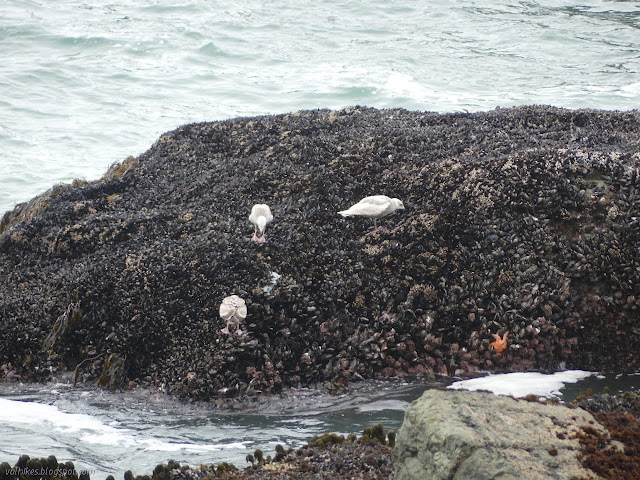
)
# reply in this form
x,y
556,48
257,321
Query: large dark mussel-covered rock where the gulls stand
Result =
x,y
521,220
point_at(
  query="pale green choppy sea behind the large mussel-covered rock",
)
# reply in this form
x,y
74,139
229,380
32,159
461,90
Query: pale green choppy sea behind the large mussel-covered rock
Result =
x,y
85,84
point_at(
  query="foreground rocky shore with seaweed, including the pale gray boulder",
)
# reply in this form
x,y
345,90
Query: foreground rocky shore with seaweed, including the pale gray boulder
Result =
x,y
598,437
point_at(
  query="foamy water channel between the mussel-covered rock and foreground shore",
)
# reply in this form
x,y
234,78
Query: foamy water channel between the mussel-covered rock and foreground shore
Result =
x,y
109,433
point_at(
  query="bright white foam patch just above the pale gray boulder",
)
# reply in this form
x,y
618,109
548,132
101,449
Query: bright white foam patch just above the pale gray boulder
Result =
x,y
519,384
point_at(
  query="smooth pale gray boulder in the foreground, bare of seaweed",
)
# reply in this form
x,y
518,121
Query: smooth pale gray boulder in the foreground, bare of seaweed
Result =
x,y
458,435
